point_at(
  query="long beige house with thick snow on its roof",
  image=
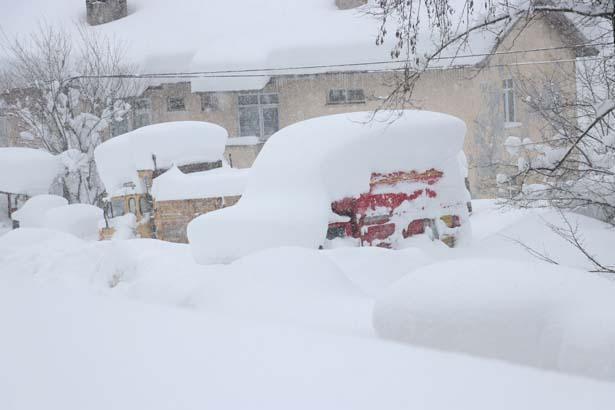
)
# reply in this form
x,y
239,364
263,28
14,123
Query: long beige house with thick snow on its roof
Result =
x,y
284,71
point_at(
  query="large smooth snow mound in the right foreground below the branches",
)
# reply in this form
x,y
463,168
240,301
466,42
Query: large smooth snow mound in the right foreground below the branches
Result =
x,y
530,313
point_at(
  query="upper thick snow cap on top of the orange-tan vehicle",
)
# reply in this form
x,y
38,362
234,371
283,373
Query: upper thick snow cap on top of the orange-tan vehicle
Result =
x,y
179,143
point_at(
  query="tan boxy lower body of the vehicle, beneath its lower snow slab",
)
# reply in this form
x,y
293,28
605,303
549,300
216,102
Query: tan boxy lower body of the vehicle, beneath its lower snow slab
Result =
x,y
172,217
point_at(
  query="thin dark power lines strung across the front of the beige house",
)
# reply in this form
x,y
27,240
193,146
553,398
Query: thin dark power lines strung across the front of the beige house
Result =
x,y
267,72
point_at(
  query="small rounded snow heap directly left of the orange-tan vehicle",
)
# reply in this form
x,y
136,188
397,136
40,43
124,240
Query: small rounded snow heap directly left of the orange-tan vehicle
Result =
x,y
80,220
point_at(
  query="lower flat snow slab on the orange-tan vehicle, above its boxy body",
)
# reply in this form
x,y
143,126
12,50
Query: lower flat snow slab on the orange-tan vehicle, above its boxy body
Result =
x,y
219,182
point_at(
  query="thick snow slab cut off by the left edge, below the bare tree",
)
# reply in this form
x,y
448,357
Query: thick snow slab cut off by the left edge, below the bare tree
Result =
x,y
27,171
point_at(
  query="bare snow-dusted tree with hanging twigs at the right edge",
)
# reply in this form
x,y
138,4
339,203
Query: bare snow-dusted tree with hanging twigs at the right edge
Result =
x,y
572,166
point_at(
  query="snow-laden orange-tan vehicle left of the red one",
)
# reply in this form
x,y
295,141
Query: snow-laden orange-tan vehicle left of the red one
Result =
x,y
163,175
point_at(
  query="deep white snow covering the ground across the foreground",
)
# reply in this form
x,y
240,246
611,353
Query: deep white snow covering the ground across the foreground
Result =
x,y
137,324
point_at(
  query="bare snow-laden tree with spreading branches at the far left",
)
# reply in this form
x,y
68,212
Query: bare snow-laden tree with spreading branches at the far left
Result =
x,y
62,92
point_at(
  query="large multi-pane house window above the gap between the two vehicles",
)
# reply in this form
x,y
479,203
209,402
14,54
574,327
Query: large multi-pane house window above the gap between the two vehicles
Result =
x,y
258,115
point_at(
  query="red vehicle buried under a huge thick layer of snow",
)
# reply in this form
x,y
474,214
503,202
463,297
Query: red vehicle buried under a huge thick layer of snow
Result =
x,y
369,180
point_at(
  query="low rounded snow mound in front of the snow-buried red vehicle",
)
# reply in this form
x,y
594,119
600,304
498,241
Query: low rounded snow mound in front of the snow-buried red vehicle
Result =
x,y
292,285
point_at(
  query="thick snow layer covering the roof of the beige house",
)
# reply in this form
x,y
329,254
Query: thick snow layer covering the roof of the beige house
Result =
x,y
209,35
